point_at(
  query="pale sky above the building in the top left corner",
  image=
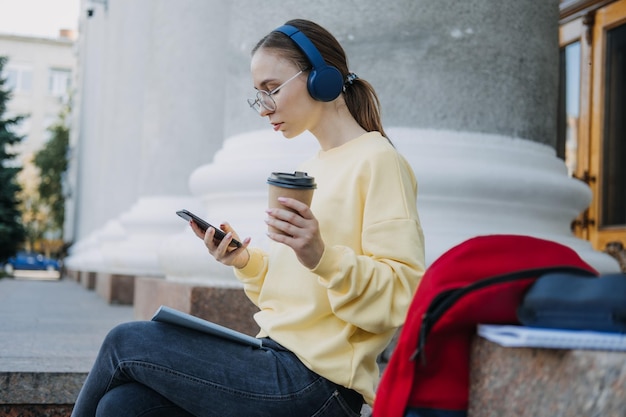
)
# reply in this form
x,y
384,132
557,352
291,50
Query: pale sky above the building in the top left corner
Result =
x,y
42,18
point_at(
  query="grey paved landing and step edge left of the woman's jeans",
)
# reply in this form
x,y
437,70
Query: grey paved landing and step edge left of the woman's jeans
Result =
x,y
50,333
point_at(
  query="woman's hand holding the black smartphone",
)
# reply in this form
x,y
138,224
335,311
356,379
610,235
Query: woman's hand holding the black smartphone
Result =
x,y
221,251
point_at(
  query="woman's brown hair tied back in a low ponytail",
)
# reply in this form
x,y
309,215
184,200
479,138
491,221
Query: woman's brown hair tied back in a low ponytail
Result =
x,y
359,95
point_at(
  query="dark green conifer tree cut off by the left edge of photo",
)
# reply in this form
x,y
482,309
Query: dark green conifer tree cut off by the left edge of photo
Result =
x,y
11,229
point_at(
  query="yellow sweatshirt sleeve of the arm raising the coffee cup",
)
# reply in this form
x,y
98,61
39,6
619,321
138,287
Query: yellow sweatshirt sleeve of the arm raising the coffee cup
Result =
x,y
374,289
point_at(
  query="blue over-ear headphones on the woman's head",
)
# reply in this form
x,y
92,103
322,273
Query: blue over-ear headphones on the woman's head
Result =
x,y
325,82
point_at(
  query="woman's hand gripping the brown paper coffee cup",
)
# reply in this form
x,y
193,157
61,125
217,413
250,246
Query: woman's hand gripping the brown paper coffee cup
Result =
x,y
302,233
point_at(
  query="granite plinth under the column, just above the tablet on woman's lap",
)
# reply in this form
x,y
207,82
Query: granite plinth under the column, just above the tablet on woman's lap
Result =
x,y
227,306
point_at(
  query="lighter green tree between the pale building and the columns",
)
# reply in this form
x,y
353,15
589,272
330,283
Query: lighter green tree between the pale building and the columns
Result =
x,y
52,163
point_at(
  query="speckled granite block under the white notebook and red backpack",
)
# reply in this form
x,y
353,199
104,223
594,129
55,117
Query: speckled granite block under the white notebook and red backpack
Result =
x,y
512,382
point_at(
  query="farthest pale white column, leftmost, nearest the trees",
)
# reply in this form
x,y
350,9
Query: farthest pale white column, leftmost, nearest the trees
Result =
x,y
113,50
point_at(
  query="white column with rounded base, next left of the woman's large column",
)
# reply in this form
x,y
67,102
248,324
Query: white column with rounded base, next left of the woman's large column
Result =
x,y
181,125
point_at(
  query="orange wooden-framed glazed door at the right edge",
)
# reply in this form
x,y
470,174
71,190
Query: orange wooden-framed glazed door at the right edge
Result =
x,y
592,112
